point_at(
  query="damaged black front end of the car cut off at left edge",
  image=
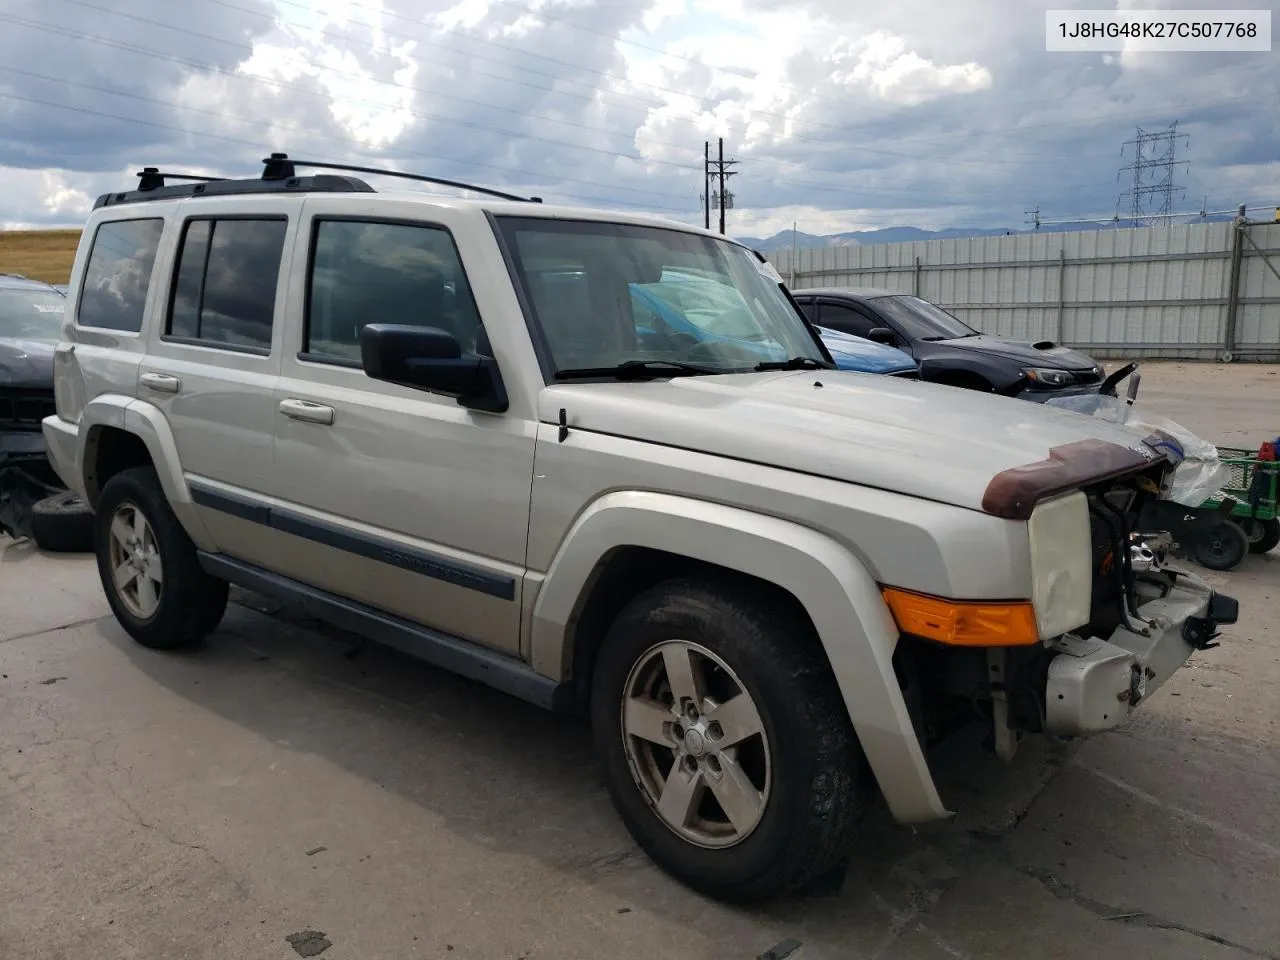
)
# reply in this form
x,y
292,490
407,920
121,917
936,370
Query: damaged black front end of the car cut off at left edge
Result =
x,y
26,474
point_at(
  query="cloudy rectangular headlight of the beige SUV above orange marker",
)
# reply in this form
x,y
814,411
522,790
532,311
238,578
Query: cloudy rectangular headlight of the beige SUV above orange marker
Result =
x,y
1062,564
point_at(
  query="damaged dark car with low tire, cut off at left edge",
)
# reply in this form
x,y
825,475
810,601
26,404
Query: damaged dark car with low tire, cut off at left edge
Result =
x,y
33,499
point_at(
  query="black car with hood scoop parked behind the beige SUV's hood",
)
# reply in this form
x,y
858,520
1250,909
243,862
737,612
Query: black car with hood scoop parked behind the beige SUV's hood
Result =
x,y
950,351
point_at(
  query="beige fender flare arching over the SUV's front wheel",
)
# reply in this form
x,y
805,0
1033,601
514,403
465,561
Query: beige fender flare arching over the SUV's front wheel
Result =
x,y
830,582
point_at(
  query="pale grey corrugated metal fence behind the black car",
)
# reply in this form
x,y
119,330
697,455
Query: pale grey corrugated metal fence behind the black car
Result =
x,y
1153,292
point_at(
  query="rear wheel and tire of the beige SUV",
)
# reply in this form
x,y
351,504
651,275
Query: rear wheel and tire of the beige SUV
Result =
x,y
149,566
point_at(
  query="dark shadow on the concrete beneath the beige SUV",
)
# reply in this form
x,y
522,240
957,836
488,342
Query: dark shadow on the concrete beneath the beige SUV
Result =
x,y
510,776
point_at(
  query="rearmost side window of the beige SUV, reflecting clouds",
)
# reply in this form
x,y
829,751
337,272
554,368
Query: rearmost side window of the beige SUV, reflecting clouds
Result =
x,y
118,275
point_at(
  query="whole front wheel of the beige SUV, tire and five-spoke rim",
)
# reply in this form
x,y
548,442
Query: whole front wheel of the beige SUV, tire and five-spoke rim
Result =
x,y
726,746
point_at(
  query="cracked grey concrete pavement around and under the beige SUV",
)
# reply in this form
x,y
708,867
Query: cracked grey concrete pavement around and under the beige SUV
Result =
x,y
289,783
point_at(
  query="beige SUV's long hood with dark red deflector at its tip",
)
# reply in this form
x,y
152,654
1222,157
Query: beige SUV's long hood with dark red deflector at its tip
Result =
x,y
911,437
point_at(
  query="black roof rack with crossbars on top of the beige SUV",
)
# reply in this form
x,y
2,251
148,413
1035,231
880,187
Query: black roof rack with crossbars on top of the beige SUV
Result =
x,y
280,176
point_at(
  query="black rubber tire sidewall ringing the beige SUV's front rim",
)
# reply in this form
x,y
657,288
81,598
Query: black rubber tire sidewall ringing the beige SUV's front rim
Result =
x,y
720,872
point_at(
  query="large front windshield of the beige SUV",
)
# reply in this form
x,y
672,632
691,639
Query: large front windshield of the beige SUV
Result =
x,y
607,294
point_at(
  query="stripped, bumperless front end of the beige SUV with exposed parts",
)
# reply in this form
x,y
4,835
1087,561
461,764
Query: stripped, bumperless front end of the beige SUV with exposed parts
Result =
x,y
1146,620
